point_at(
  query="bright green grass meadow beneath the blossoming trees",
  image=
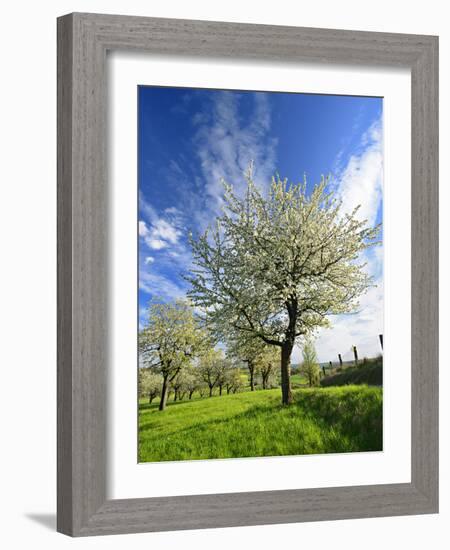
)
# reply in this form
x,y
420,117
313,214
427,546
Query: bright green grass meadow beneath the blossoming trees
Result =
x,y
252,424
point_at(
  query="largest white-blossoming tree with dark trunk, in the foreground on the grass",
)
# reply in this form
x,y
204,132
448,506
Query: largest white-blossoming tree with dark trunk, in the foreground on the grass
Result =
x,y
275,266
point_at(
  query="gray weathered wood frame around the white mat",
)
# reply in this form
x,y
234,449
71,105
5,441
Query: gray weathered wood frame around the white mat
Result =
x,y
83,40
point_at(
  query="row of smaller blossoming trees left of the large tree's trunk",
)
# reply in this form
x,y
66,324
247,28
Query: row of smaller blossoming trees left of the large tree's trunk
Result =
x,y
177,354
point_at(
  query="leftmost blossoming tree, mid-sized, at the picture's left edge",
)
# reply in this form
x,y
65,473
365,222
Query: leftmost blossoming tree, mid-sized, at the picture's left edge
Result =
x,y
171,339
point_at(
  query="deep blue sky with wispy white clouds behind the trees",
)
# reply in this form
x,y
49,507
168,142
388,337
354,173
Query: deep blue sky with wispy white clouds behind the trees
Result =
x,y
189,139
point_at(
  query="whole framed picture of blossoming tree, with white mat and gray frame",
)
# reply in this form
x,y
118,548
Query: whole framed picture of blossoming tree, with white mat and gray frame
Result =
x,y
247,274
